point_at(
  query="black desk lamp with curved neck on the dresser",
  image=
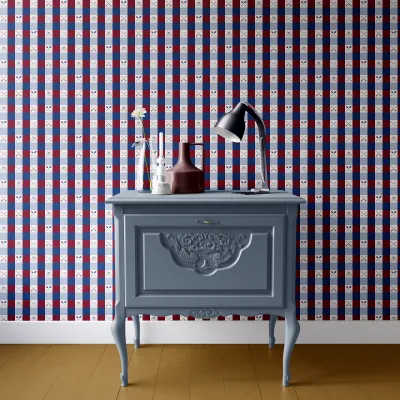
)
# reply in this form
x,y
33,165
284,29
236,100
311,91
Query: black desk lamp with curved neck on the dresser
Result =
x,y
231,126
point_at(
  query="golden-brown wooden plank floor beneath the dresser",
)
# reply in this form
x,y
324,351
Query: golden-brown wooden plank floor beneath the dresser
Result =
x,y
199,372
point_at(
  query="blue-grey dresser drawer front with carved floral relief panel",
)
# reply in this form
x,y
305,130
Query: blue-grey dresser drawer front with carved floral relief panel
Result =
x,y
205,260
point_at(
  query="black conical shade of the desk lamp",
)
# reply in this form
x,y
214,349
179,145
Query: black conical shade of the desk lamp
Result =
x,y
231,126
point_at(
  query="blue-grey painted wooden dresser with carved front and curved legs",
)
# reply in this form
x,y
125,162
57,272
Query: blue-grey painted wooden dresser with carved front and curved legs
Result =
x,y
205,255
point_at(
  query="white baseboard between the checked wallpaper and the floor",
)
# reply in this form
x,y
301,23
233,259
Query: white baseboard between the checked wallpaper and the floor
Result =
x,y
176,332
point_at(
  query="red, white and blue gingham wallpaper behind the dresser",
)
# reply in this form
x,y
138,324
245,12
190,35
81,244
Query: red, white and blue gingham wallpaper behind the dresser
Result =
x,y
324,75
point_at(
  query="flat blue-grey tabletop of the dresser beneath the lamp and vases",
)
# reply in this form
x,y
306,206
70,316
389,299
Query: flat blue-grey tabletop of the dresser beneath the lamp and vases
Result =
x,y
274,197
